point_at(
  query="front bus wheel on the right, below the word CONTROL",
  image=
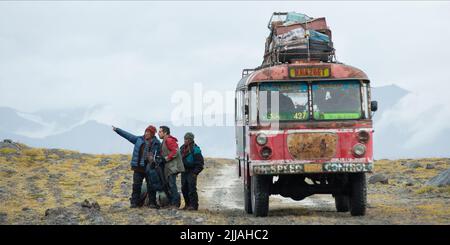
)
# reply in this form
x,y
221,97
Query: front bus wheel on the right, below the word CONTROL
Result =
x,y
358,194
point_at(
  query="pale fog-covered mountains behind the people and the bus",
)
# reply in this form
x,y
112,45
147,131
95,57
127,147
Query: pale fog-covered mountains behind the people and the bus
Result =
x,y
89,130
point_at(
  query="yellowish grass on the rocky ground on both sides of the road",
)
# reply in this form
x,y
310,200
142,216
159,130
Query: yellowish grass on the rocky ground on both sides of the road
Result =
x,y
83,179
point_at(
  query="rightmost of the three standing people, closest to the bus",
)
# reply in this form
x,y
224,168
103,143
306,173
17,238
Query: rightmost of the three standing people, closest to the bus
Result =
x,y
193,164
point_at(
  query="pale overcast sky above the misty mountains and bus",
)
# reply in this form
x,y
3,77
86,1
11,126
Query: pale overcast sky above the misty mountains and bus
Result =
x,y
131,56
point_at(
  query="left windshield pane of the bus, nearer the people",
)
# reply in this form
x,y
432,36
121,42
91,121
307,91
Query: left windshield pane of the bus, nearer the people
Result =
x,y
292,100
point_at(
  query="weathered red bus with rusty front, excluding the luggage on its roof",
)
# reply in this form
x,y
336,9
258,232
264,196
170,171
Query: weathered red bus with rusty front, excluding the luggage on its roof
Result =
x,y
304,128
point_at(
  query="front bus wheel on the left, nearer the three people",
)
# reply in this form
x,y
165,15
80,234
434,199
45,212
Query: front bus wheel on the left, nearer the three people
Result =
x,y
260,195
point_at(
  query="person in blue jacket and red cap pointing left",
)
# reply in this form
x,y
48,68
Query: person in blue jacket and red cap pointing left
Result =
x,y
146,148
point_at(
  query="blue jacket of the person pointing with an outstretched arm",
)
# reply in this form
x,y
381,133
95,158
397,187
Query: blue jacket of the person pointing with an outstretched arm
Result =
x,y
153,147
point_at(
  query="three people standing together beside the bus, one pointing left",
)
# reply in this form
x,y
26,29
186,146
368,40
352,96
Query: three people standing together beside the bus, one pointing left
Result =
x,y
159,163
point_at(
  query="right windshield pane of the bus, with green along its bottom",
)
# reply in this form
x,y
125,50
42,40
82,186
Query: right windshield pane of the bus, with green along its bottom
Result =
x,y
334,100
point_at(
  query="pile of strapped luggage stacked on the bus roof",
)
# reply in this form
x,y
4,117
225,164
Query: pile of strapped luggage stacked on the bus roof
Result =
x,y
298,37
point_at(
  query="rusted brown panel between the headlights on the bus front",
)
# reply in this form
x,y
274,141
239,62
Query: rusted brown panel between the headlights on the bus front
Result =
x,y
312,145
